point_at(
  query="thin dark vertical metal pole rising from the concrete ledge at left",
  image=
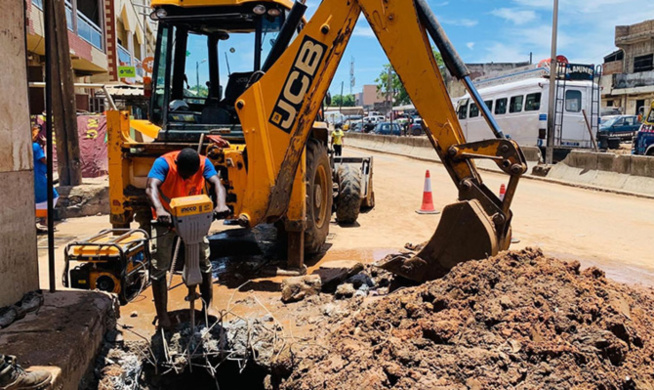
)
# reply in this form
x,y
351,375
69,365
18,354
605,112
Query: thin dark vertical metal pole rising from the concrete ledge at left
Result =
x,y
47,15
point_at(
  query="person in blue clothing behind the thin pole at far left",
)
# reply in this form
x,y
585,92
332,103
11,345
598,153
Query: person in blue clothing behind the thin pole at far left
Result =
x,y
41,179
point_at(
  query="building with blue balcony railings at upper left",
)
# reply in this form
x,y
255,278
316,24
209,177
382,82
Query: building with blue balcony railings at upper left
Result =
x,y
103,35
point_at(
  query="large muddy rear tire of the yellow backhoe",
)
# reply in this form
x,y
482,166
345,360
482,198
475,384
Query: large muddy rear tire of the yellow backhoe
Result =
x,y
319,196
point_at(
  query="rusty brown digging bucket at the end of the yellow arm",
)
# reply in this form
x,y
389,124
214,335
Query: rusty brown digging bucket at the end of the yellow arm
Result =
x,y
465,232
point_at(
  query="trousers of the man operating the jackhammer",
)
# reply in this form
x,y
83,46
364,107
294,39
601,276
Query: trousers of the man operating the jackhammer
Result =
x,y
163,255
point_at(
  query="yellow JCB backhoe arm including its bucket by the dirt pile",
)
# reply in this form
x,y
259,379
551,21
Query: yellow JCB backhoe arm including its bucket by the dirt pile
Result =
x,y
277,113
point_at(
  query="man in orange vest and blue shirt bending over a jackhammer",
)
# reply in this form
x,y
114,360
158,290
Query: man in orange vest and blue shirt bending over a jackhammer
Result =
x,y
173,175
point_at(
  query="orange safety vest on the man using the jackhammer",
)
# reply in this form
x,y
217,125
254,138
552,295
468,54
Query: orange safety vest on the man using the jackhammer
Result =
x,y
174,186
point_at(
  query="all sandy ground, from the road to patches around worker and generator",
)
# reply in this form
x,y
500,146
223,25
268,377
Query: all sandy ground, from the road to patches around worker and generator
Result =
x,y
611,231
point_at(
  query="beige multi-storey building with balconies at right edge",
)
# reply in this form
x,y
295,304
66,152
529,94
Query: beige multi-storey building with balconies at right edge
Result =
x,y
628,74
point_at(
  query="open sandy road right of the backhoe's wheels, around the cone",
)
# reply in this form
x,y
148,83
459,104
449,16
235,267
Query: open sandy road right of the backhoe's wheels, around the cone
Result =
x,y
613,232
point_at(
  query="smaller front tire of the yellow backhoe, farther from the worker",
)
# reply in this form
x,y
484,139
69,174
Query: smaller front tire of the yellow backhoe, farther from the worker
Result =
x,y
348,202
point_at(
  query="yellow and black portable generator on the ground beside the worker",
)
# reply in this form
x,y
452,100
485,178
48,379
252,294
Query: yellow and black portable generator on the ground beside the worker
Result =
x,y
114,260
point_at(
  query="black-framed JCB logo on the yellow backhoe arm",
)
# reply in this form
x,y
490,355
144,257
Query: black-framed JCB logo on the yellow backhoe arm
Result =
x,y
298,83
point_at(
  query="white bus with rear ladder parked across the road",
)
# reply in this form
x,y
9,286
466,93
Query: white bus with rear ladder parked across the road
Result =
x,y
521,108
